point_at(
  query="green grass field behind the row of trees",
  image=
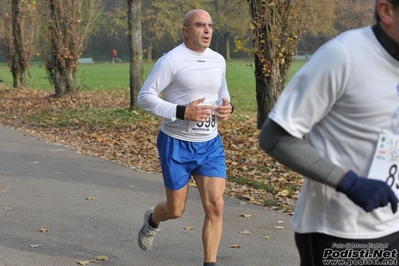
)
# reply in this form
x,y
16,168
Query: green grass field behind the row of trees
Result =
x,y
105,76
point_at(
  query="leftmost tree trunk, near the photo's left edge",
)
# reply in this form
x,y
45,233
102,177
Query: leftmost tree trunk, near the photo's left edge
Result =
x,y
20,38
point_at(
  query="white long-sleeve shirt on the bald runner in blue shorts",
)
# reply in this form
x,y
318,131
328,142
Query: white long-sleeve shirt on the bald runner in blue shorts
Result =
x,y
183,76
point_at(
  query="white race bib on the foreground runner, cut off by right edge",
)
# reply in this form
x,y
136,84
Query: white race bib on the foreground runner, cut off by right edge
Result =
x,y
385,162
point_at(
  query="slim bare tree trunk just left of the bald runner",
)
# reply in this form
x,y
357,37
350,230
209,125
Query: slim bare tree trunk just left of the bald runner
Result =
x,y
136,50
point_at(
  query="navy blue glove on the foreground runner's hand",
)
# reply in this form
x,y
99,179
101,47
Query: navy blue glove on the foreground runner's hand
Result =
x,y
367,193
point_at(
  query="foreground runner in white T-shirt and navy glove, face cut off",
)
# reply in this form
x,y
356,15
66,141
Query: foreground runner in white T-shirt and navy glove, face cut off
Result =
x,y
345,100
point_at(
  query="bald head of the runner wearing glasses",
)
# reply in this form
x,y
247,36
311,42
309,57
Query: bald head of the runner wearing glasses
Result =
x,y
198,32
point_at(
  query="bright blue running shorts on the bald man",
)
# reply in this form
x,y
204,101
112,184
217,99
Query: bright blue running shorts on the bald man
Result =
x,y
179,159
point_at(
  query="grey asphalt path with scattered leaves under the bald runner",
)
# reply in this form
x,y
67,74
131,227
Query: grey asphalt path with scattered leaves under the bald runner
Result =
x,y
47,186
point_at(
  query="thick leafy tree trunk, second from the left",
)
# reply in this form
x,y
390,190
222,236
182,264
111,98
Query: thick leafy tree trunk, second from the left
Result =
x,y
68,24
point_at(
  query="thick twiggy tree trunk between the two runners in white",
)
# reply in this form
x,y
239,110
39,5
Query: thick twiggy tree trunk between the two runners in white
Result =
x,y
276,28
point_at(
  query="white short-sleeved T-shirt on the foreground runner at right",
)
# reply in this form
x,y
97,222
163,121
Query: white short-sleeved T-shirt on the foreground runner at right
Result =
x,y
342,100
